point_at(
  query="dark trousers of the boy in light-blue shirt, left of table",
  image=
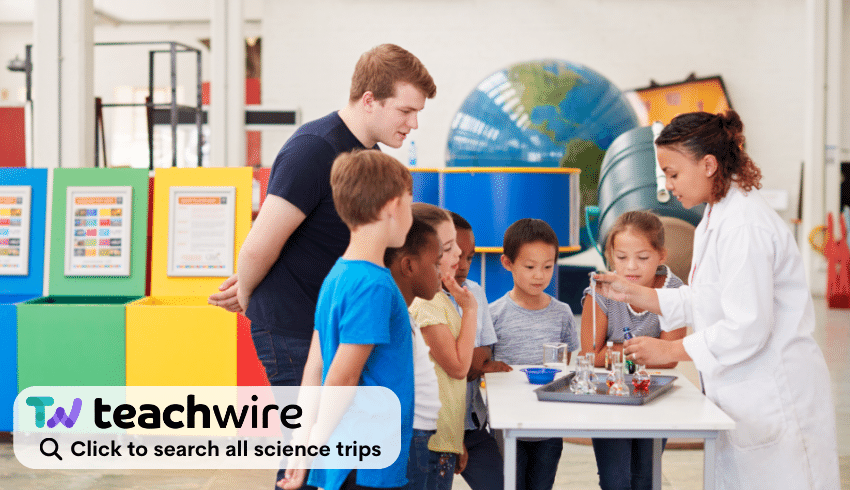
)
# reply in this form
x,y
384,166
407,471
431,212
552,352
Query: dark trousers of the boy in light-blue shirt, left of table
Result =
x,y
484,469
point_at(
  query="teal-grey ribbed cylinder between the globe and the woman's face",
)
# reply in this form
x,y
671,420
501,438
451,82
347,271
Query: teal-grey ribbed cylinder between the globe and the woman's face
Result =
x,y
628,182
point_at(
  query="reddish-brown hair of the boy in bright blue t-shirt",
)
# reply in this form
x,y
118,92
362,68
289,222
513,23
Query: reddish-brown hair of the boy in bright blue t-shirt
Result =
x,y
363,182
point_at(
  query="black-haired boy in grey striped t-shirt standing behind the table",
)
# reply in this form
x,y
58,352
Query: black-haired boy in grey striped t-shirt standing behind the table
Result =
x,y
525,318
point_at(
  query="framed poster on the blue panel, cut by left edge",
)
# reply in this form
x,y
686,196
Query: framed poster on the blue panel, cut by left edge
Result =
x,y
14,229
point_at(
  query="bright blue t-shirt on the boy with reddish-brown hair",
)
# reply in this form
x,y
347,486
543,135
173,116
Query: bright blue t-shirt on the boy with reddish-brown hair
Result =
x,y
360,304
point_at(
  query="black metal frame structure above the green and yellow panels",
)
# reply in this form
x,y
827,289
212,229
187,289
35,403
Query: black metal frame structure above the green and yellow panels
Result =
x,y
173,107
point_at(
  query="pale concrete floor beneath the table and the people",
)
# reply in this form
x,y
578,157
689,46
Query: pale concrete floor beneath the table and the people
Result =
x,y
682,469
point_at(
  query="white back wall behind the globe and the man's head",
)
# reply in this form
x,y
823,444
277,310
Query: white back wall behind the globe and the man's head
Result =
x,y
758,46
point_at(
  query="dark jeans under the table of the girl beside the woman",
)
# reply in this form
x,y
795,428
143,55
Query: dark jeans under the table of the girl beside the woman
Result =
x,y
624,464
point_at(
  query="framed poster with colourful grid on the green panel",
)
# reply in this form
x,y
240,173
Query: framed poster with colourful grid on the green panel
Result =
x,y
97,240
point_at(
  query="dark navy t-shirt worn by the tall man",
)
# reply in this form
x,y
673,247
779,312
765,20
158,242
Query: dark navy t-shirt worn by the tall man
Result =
x,y
285,300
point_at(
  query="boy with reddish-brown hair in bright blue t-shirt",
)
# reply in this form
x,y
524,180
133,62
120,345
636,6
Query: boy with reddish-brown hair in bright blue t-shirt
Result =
x,y
362,333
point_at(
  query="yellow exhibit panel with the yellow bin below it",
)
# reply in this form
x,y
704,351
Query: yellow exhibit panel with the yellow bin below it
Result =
x,y
201,216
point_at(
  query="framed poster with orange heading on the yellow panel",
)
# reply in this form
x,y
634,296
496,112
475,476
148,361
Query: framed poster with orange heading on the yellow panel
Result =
x,y
201,231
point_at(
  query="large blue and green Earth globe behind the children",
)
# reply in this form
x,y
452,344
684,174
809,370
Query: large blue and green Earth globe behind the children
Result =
x,y
545,113
